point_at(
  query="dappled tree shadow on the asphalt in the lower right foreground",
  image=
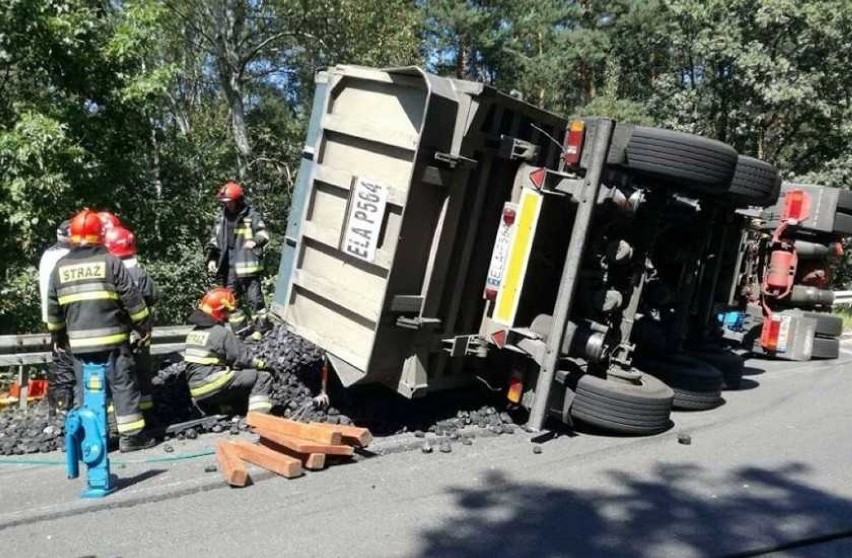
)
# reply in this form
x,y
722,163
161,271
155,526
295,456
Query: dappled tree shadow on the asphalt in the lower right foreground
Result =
x,y
684,511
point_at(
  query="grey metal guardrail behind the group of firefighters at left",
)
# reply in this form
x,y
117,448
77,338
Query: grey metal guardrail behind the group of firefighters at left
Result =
x,y
34,348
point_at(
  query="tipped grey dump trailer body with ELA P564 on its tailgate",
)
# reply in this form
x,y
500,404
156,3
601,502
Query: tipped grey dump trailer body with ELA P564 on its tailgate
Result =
x,y
389,255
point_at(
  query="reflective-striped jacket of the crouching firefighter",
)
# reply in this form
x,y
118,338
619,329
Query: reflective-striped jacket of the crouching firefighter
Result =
x,y
212,354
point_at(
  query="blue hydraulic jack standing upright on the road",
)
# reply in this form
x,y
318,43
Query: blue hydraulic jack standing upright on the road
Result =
x,y
86,434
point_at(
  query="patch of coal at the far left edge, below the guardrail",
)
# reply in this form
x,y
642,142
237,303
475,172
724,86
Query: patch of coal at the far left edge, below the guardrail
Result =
x,y
31,430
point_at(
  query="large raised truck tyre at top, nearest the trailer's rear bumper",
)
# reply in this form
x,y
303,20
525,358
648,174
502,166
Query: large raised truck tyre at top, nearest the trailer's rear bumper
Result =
x,y
681,160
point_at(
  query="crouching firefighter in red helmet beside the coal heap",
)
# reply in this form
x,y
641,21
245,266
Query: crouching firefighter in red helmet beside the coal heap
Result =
x,y
220,370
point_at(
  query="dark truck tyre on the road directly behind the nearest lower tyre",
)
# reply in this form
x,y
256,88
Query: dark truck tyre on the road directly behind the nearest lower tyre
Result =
x,y
697,385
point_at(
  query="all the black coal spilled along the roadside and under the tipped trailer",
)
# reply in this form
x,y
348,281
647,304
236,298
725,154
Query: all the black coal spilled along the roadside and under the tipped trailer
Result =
x,y
295,365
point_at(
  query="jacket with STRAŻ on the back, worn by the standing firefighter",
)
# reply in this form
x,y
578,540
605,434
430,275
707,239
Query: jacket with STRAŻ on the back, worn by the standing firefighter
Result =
x,y
89,299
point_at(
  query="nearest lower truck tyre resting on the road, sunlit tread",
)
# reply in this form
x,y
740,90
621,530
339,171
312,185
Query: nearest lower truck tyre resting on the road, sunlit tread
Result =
x,y
623,407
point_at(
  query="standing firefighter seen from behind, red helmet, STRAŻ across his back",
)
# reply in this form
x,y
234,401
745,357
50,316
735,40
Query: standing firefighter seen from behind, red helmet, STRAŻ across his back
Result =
x,y
90,298
